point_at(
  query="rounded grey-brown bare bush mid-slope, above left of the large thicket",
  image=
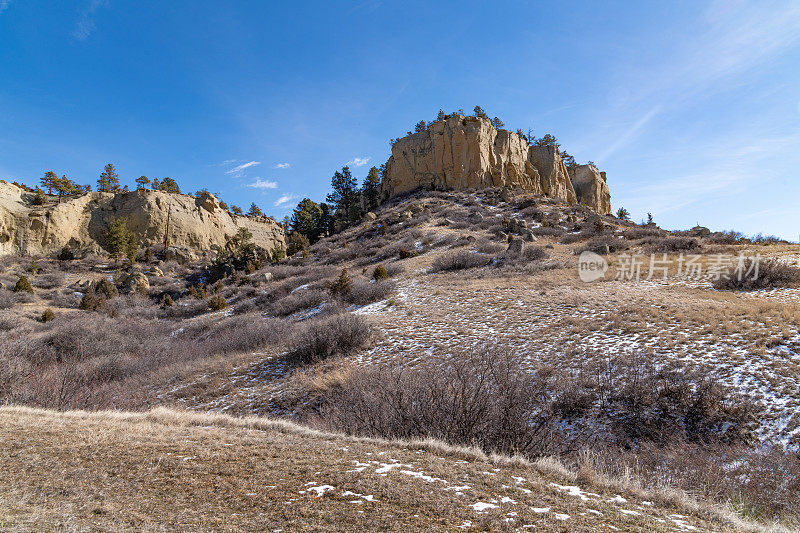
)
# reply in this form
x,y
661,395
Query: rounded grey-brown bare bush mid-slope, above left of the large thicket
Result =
x,y
339,335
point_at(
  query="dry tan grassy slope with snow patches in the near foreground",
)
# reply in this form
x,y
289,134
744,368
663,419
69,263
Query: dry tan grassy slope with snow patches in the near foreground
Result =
x,y
182,471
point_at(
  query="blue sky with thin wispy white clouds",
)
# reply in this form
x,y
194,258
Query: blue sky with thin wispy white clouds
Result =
x,y
693,108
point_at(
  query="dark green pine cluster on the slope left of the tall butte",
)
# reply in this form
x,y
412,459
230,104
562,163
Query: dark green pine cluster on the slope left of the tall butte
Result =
x,y
346,203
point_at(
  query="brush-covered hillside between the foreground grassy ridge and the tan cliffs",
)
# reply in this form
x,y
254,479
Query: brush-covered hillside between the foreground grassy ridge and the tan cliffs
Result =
x,y
613,374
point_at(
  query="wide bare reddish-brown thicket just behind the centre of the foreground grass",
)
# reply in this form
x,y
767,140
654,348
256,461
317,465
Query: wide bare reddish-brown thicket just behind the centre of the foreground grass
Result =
x,y
464,399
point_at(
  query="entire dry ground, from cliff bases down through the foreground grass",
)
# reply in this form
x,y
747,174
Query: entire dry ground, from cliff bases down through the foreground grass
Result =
x,y
461,316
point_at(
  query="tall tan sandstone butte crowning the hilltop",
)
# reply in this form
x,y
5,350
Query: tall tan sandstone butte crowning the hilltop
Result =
x,y
469,153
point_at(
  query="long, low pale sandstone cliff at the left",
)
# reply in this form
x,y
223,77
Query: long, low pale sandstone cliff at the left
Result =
x,y
81,223
